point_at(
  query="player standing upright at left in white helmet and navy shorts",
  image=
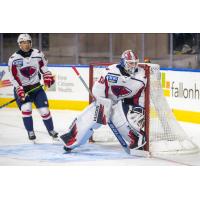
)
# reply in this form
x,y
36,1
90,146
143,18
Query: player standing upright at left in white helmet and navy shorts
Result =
x,y
26,66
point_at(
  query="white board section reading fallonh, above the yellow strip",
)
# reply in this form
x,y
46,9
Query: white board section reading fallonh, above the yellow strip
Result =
x,y
184,89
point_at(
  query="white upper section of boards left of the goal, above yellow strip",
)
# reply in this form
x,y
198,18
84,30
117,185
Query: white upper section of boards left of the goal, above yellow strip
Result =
x,y
67,86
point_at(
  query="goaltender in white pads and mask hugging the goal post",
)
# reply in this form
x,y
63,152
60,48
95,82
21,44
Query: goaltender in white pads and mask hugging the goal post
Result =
x,y
119,95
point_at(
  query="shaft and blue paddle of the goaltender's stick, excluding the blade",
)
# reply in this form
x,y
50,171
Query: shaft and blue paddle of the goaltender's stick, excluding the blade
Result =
x,y
110,123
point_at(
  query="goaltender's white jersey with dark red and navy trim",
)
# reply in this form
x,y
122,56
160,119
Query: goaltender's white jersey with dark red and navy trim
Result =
x,y
116,86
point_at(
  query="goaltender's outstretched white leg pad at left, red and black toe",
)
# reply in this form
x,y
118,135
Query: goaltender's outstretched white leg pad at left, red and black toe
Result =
x,y
81,128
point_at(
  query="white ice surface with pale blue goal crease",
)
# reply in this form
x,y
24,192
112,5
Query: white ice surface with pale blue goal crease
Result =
x,y
16,149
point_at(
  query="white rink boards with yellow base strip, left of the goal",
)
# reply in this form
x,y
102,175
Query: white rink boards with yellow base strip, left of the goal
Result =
x,y
67,92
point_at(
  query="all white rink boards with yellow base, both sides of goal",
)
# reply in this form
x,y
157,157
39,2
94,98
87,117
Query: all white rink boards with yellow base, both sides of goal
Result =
x,y
180,86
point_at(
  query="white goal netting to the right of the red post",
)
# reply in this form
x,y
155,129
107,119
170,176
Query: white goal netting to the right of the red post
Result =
x,y
165,133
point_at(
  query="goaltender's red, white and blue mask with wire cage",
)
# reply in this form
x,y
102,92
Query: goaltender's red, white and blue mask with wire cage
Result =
x,y
129,60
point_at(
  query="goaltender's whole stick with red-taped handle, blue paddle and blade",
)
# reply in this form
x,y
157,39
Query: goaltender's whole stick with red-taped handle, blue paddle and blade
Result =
x,y
112,126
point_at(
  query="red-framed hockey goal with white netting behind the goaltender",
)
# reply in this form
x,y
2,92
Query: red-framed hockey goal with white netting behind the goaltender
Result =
x,y
164,135
